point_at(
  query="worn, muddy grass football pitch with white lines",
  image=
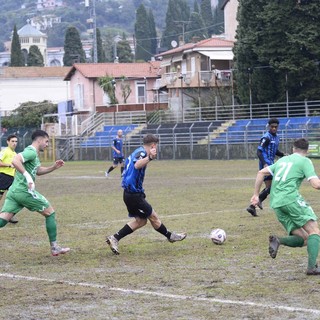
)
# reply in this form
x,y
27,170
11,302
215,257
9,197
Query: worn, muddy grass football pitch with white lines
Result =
x,y
152,278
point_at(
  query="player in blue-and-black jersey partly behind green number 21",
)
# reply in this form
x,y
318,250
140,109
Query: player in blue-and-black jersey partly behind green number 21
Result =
x,y
267,150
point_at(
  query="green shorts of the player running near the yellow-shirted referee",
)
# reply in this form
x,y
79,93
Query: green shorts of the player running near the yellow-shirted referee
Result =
x,y
16,201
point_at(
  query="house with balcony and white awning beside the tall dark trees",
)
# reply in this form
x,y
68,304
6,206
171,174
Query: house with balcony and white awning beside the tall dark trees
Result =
x,y
195,67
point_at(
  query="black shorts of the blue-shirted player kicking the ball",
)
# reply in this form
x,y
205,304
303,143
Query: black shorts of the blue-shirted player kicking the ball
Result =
x,y
137,205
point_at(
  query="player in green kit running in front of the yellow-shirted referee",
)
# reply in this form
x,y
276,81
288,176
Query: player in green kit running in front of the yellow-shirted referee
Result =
x,y
22,193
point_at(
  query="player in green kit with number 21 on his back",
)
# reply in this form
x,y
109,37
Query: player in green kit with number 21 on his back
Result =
x,y
296,216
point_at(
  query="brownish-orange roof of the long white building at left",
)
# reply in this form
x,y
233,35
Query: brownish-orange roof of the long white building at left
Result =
x,y
33,72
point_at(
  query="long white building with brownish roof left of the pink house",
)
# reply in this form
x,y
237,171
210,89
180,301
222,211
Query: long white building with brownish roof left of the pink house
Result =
x,y
23,84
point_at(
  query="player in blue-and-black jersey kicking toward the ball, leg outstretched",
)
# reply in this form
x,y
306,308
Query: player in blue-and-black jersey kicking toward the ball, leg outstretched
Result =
x,y
135,199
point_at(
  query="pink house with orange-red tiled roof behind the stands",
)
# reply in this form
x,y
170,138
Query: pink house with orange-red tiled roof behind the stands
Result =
x,y
88,95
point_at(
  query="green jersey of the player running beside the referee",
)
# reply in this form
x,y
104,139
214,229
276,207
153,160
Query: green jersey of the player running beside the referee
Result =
x,y
31,163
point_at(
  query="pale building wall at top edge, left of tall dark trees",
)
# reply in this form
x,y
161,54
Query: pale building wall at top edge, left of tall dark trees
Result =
x,y
230,8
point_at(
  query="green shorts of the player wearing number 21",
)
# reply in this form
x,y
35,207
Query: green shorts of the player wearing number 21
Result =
x,y
295,215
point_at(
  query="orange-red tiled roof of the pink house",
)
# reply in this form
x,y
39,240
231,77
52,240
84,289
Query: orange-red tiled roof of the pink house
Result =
x,y
116,70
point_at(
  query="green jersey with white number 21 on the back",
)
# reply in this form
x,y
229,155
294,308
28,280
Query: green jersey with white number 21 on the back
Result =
x,y
288,173
